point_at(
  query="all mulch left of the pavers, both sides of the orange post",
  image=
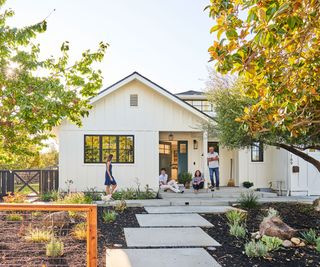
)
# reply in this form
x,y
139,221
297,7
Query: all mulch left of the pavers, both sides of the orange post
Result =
x,y
16,251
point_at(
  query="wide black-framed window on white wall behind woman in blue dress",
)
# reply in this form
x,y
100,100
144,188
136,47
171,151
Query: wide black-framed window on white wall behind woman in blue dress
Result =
x,y
98,147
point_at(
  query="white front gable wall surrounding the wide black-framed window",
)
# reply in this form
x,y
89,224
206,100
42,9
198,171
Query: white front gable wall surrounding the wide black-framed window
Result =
x,y
113,115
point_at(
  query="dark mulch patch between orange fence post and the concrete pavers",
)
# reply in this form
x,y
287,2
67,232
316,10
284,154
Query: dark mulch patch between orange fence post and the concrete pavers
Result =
x,y
111,234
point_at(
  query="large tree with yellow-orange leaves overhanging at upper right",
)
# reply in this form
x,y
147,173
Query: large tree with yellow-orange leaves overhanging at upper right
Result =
x,y
274,46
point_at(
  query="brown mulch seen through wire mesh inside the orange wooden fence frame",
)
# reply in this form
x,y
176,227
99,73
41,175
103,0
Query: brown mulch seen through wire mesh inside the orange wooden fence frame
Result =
x,y
16,251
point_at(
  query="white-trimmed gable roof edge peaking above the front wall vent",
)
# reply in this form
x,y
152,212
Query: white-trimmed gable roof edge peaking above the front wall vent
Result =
x,y
137,76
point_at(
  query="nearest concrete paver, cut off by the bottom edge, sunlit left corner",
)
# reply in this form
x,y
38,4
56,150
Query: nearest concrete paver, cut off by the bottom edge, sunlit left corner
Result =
x,y
177,257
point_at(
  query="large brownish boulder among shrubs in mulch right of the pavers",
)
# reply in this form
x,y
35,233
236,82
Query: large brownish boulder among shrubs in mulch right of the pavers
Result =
x,y
274,226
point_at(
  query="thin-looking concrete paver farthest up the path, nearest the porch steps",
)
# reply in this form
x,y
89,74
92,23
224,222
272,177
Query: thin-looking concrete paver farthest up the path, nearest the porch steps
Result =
x,y
189,209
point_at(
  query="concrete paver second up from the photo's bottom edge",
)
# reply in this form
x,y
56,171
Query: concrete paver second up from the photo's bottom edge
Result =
x,y
168,237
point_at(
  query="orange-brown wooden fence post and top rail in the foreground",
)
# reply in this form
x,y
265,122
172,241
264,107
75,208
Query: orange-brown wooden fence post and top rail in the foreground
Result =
x,y
90,210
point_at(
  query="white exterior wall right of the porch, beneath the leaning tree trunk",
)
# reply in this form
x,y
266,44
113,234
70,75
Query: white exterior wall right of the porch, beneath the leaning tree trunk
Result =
x,y
277,168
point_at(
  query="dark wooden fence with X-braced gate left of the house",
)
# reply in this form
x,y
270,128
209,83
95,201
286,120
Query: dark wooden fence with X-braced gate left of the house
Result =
x,y
46,180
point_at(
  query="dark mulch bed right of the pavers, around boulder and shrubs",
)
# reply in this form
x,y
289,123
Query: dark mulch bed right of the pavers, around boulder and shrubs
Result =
x,y
231,253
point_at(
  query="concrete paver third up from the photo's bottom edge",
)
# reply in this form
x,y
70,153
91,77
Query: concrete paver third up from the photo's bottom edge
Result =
x,y
172,220
